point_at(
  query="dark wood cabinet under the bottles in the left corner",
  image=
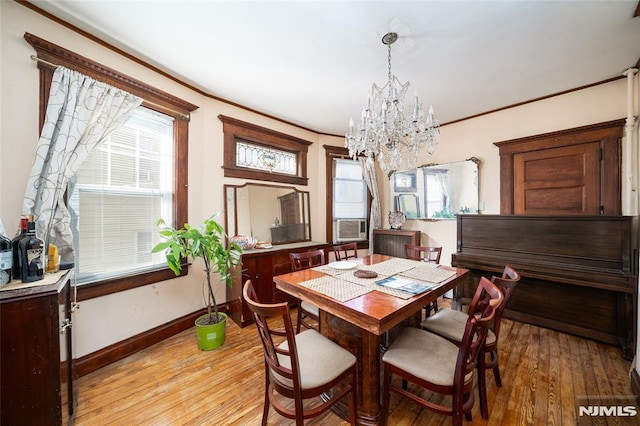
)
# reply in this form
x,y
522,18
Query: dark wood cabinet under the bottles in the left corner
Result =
x,y
36,388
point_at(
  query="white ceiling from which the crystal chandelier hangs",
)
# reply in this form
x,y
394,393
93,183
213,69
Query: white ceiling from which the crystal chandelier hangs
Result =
x,y
312,63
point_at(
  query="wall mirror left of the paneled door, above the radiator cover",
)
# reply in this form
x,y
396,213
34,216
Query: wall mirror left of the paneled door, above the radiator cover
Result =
x,y
436,191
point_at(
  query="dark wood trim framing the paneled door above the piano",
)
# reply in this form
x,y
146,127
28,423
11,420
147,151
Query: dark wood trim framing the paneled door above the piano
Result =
x,y
608,135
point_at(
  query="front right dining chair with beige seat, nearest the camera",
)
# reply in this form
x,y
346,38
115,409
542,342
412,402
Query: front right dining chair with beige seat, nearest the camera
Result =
x,y
436,364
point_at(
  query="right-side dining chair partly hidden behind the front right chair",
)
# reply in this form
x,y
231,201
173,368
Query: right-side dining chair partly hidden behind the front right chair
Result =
x,y
450,324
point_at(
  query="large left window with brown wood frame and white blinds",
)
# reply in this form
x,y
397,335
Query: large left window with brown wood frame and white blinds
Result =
x,y
119,194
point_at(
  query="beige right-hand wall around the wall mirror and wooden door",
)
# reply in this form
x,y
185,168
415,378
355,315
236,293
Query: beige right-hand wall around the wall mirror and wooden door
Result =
x,y
475,138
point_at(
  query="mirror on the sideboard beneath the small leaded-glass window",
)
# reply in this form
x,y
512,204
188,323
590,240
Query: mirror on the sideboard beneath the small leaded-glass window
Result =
x,y
271,213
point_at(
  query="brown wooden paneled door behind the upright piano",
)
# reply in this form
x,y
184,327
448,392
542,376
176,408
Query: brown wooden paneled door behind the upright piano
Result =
x,y
558,181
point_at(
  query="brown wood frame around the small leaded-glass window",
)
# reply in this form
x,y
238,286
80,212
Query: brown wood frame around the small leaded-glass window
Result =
x,y
236,130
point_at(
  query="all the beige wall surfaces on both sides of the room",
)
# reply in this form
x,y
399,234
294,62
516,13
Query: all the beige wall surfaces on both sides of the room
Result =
x,y
103,321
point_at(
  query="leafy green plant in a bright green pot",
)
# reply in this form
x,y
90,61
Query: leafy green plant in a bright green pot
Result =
x,y
209,242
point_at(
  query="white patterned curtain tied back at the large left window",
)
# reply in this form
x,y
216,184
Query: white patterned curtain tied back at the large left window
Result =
x,y
81,112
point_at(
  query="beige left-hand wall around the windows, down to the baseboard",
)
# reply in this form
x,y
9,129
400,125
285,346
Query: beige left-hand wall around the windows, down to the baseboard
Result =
x,y
104,321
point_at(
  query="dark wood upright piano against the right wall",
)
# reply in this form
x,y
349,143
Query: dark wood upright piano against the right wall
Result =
x,y
579,273
